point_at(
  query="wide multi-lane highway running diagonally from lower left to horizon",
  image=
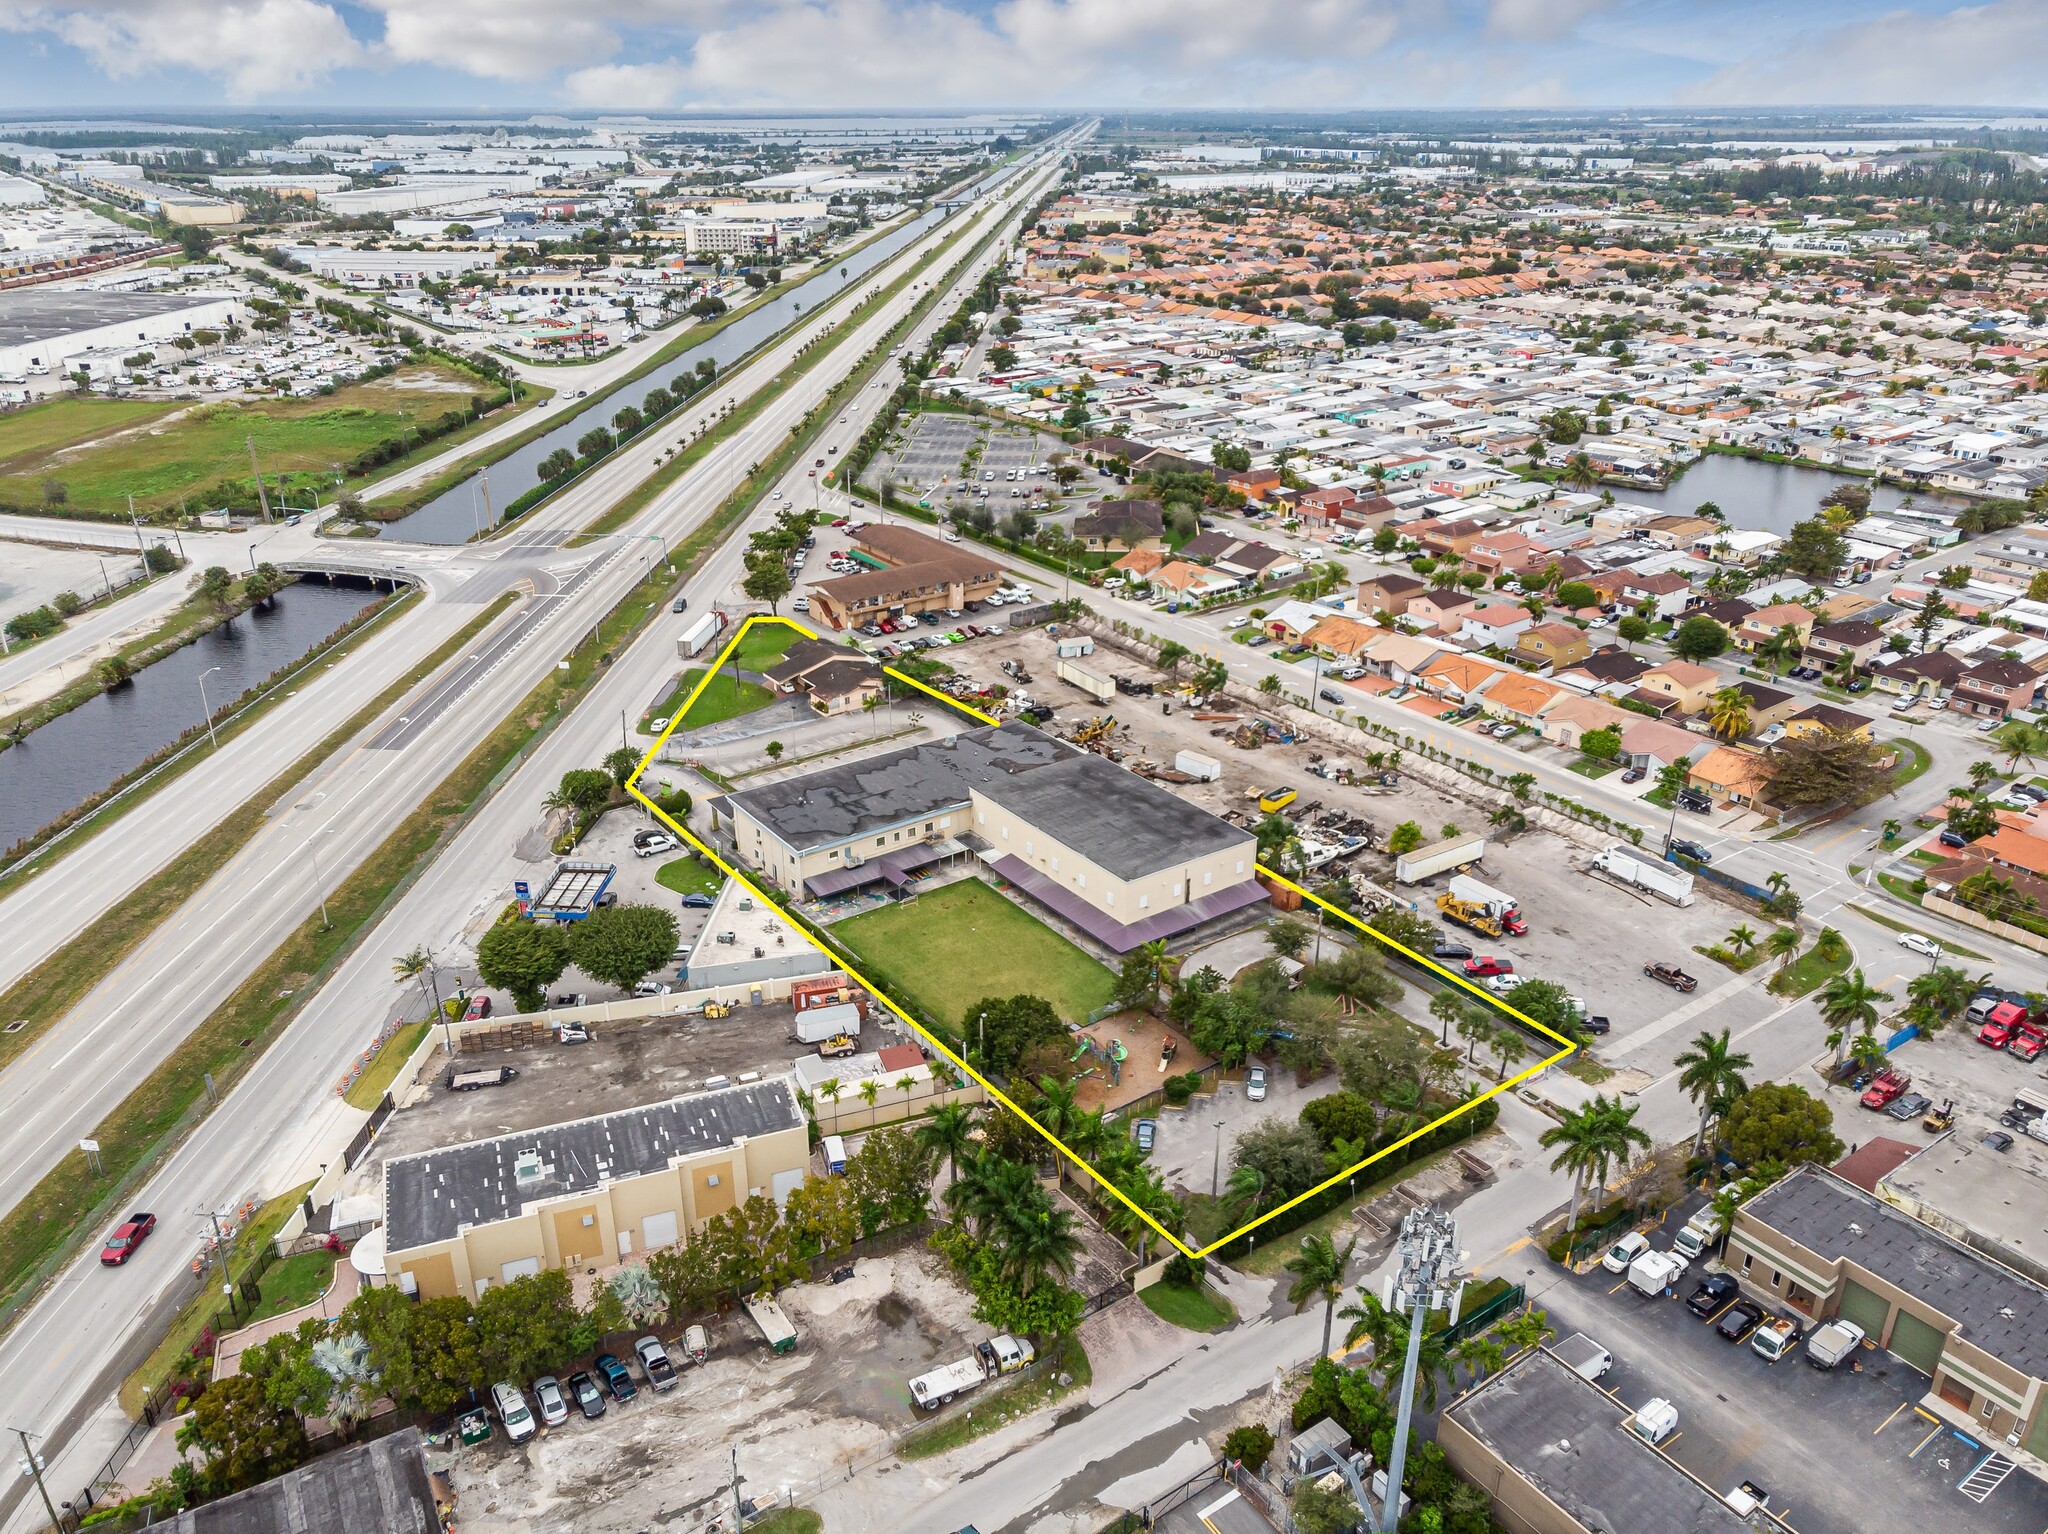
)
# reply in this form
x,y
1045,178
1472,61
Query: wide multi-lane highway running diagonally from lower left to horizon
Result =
x,y
282,1121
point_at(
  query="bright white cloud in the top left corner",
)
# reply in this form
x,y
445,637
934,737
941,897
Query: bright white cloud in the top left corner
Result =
x,y
257,48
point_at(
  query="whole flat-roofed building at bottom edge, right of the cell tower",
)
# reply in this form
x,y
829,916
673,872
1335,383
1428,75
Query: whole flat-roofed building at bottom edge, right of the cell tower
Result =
x,y
1555,1455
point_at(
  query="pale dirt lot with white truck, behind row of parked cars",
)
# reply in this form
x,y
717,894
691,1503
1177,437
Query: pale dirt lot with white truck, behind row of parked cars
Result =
x,y
663,1463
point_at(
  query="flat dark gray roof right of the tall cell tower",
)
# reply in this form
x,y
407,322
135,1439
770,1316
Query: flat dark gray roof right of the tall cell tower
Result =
x,y
1566,1439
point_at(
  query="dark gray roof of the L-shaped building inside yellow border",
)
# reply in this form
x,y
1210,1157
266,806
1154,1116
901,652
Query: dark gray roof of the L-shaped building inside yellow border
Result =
x,y
1115,818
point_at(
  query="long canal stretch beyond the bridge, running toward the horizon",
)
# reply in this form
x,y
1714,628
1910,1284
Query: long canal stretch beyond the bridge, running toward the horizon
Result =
x,y
458,513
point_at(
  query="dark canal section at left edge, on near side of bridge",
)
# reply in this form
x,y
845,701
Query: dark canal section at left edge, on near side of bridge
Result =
x,y
83,753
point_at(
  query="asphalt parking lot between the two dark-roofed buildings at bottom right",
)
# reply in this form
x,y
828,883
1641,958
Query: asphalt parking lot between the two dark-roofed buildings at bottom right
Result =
x,y
1842,1451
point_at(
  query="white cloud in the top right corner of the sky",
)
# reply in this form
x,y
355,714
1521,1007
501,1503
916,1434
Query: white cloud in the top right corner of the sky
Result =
x,y
1992,54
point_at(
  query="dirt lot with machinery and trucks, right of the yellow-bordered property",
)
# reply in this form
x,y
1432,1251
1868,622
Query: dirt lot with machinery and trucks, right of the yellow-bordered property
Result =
x,y
1584,933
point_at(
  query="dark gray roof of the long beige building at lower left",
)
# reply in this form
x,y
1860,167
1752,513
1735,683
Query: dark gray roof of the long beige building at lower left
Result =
x,y
433,1195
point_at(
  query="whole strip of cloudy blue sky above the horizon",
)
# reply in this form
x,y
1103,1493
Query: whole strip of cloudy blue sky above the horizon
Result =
x,y
806,54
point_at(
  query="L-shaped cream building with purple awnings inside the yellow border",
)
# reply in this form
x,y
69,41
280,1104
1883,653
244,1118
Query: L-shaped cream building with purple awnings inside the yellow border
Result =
x,y
1103,849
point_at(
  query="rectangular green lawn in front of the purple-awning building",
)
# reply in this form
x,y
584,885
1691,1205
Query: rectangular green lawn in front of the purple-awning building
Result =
x,y
966,943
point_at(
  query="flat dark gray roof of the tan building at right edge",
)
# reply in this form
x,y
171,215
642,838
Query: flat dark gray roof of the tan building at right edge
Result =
x,y
1994,1308
